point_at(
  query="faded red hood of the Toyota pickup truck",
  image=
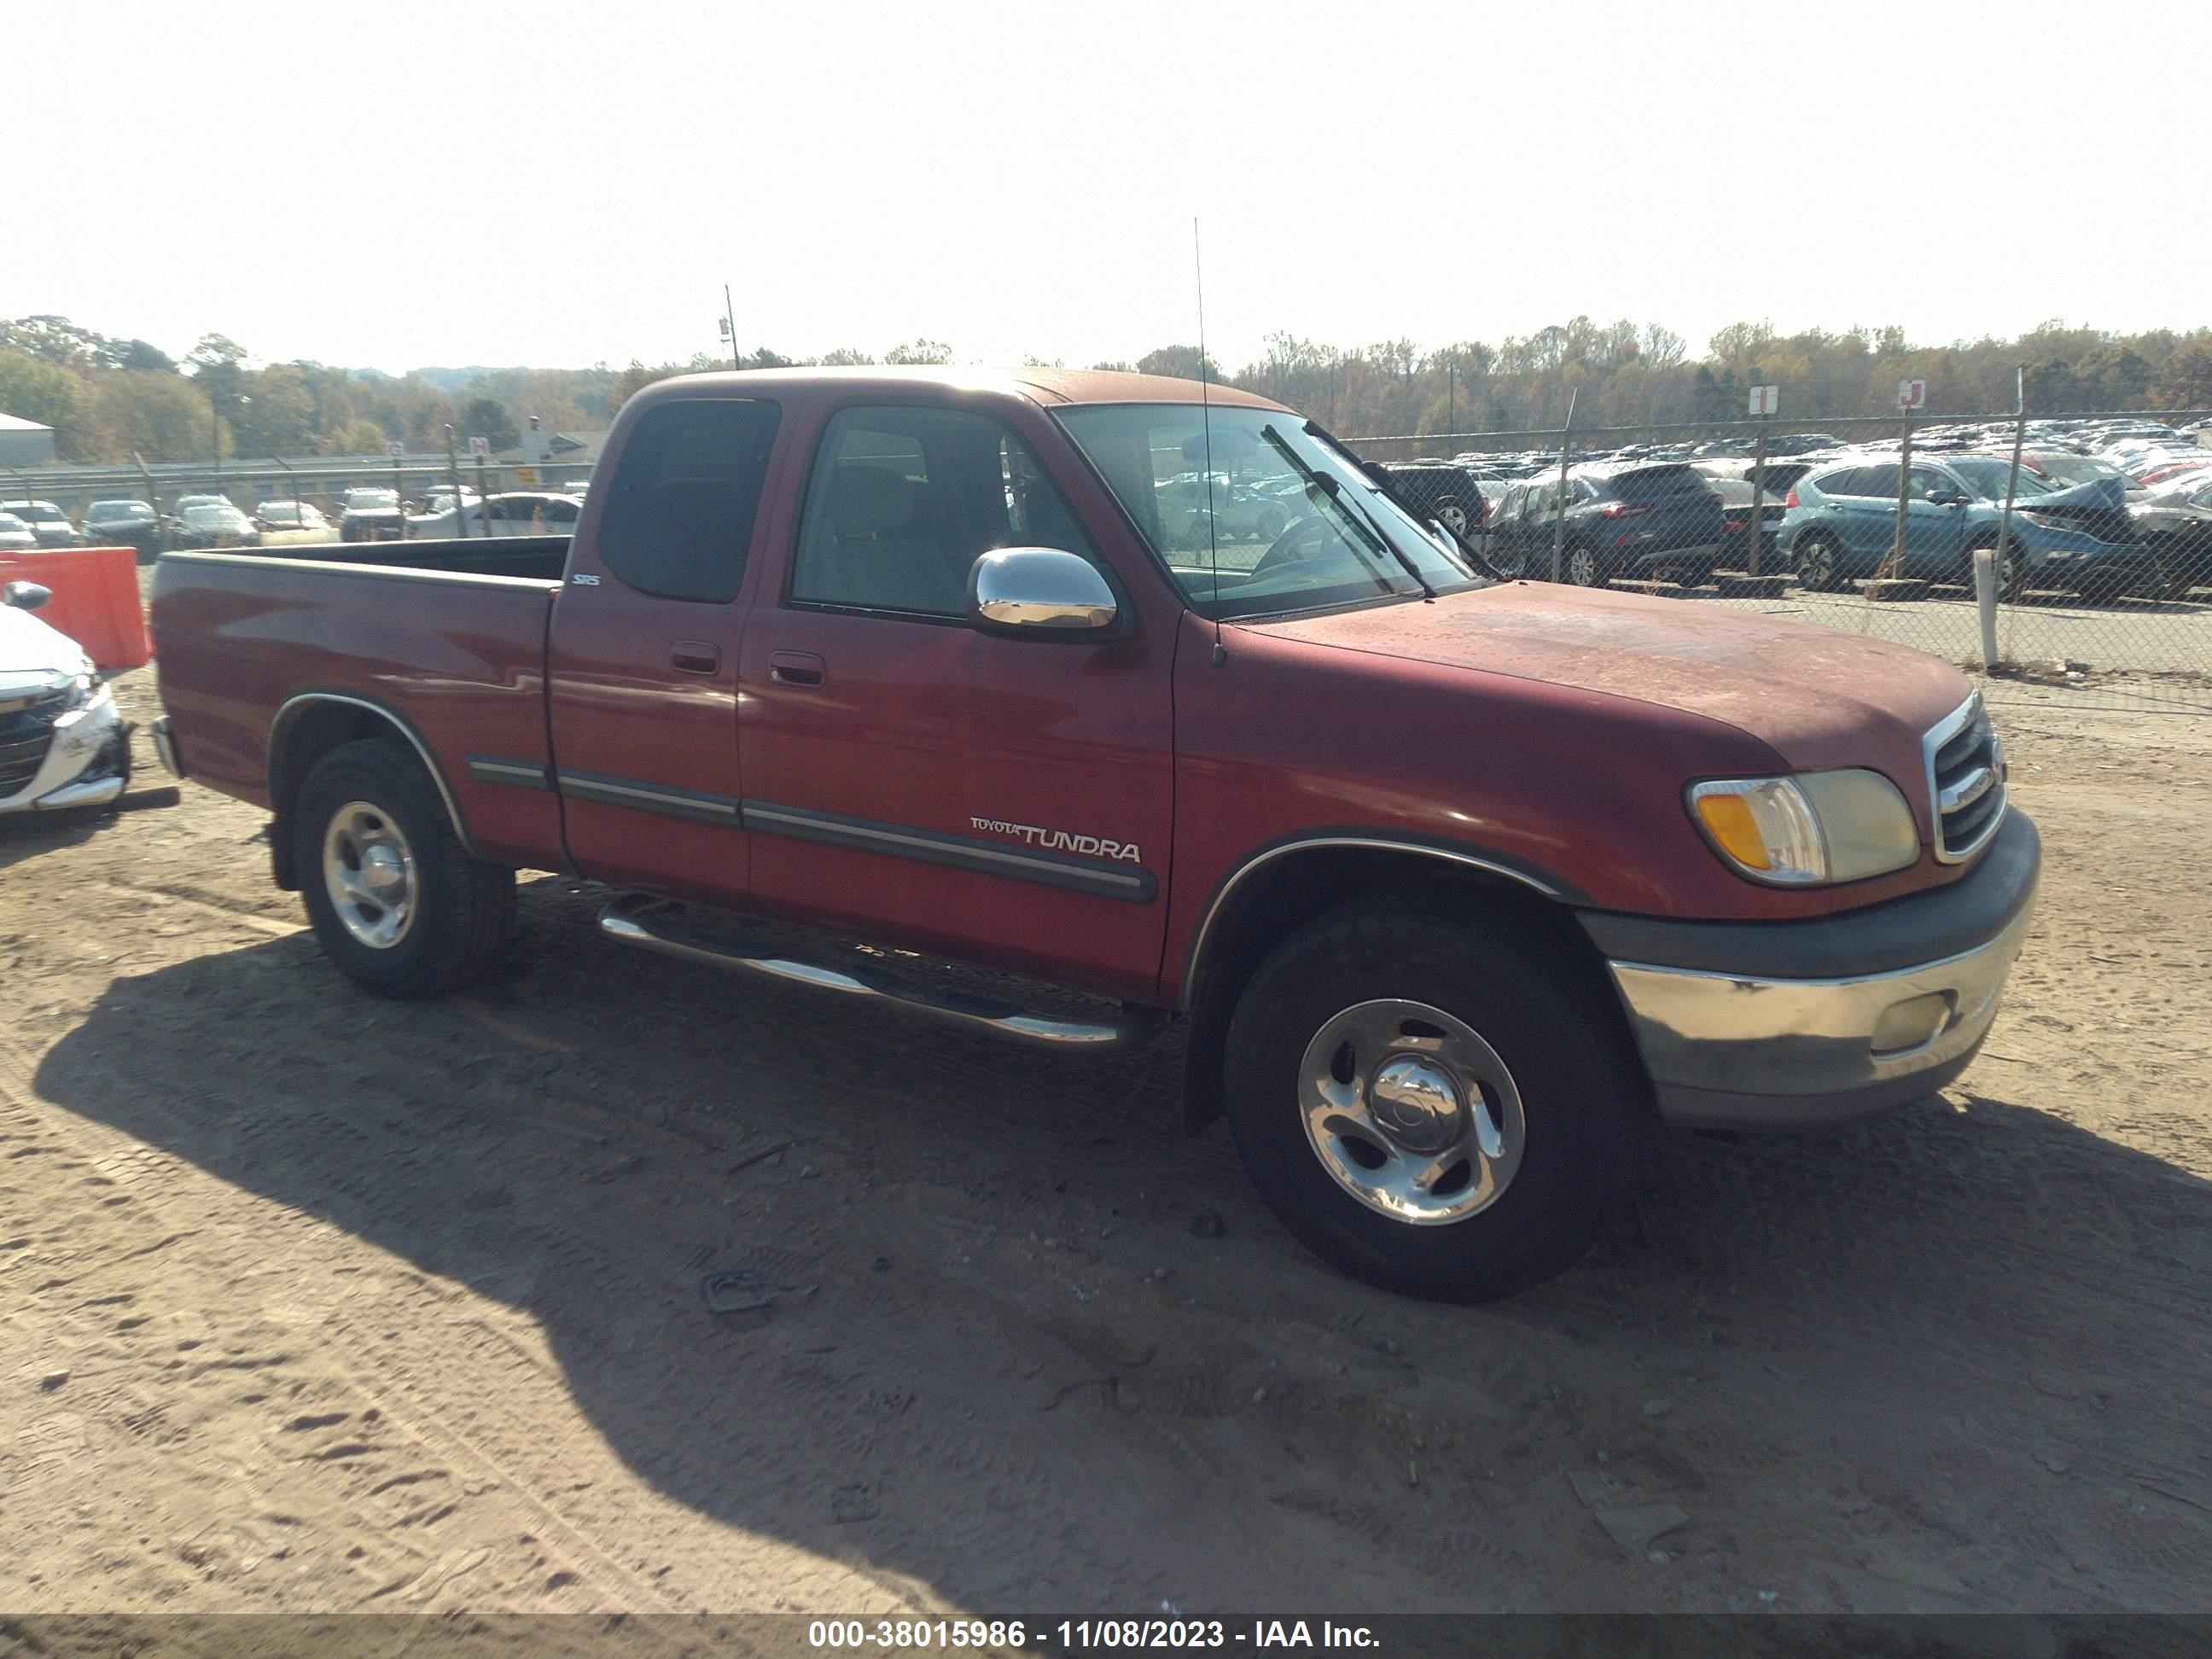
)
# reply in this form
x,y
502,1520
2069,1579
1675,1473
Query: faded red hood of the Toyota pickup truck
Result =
x,y
1815,696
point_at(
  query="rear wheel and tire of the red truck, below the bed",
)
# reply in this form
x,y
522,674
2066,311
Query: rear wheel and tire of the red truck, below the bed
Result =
x,y
397,901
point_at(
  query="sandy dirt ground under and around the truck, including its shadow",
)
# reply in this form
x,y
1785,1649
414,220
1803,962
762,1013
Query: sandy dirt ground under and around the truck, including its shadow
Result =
x,y
320,1304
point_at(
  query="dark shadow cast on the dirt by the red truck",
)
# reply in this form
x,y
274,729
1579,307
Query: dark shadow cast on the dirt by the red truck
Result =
x,y
972,1375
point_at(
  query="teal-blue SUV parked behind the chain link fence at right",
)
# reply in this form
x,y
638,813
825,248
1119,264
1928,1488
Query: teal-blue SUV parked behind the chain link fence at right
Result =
x,y
1841,525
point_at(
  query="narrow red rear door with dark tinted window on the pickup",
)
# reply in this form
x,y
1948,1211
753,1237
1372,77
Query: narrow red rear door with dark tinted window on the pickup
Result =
x,y
645,654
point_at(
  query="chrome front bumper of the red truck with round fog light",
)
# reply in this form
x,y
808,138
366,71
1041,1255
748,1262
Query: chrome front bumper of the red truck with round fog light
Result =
x,y
1731,1052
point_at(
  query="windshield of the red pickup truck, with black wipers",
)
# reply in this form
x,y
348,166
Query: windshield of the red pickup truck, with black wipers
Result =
x,y
1282,521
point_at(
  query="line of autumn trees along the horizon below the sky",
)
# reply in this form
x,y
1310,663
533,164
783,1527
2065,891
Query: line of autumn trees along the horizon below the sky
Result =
x,y
112,399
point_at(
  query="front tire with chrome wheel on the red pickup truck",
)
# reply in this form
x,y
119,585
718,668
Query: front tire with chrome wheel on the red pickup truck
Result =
x,y
1434,1107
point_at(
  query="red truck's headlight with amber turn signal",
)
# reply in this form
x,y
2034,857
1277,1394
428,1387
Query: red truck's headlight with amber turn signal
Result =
x,y
1808,831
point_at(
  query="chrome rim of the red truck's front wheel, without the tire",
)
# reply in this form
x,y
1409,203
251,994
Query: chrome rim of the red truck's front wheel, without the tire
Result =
x,y
1410,1112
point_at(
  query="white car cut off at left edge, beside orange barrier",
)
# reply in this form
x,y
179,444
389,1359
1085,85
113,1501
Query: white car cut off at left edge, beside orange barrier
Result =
x,y
61,740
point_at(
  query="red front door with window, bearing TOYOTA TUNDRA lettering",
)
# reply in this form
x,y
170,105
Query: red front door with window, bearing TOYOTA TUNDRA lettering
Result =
x,y
908,778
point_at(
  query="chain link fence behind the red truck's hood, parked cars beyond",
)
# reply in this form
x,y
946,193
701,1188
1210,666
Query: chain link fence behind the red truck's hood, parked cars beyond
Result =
x,y
2063,550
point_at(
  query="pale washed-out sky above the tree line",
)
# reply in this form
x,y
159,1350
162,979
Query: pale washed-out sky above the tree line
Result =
x,y
559,185
